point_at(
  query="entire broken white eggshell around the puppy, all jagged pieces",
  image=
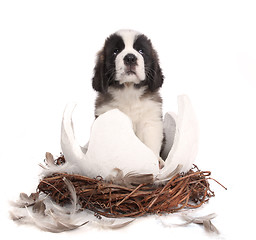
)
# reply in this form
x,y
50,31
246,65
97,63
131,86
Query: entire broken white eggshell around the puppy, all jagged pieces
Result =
x,y
113,145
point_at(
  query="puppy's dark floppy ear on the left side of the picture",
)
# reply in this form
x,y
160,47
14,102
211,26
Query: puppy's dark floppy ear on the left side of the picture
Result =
x,y
99,82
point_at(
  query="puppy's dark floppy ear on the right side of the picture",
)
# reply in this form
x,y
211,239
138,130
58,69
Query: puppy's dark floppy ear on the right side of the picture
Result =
x,y
155,75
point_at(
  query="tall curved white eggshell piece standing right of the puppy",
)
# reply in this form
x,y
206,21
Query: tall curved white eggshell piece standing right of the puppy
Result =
x,y
180,148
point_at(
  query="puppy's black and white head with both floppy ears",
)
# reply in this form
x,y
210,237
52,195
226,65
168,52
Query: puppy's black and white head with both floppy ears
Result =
x,y
127,57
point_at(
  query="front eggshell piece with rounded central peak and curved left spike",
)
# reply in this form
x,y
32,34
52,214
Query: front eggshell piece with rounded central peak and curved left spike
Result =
x,y
112,145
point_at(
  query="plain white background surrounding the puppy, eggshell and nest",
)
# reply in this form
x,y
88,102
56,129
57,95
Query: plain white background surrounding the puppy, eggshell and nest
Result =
x,y
207,50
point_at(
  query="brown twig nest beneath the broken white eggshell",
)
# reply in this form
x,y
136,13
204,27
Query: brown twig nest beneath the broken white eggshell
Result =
x,y
109,199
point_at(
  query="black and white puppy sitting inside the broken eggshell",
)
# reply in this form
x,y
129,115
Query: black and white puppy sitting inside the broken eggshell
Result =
x,y
127,76
